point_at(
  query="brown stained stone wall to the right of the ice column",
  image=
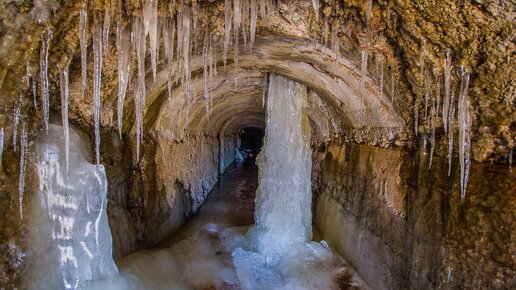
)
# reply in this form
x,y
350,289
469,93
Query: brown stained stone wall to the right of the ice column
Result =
x,y
404,226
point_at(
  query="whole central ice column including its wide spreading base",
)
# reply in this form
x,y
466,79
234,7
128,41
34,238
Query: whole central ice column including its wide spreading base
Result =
x,y
277,252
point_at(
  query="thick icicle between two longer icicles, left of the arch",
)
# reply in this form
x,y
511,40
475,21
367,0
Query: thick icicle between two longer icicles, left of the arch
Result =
x,y
123,45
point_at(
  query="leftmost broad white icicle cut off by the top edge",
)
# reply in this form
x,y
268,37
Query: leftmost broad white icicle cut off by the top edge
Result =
x,y
150,23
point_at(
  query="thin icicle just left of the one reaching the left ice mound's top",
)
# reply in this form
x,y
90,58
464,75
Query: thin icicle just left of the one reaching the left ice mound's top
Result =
x,y
43,75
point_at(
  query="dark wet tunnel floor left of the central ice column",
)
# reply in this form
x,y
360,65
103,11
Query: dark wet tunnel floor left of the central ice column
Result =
x,y
194,257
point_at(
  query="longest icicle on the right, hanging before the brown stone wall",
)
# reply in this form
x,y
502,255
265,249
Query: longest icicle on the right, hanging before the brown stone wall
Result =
x,y
464,118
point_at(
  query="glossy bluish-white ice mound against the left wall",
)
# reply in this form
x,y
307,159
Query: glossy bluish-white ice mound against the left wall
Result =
x,y
69,236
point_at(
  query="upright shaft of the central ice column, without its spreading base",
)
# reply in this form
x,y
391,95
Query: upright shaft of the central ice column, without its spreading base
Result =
x,y
283,199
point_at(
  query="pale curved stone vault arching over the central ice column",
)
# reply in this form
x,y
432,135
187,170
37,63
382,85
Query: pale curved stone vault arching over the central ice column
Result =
x,y
236,91
